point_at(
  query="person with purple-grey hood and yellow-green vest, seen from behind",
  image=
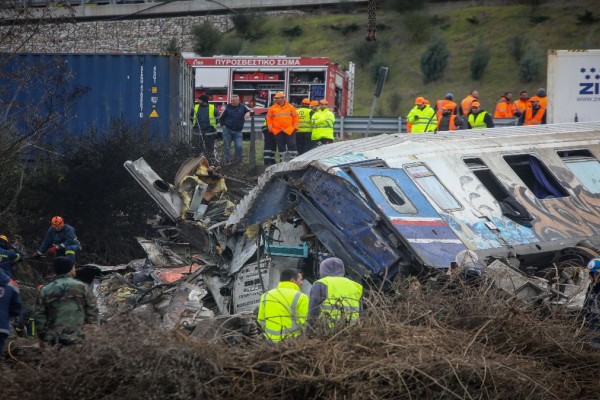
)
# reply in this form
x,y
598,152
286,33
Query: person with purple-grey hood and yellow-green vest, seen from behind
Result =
x,y
334,299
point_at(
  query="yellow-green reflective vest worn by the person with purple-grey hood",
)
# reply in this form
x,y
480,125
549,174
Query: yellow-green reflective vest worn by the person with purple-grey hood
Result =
x,y
343,300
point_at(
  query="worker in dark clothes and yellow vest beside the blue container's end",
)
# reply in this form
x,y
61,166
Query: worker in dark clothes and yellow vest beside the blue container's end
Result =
x,y
204,127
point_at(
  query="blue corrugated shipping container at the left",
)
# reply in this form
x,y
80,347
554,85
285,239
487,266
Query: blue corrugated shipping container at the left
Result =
x,y
89,91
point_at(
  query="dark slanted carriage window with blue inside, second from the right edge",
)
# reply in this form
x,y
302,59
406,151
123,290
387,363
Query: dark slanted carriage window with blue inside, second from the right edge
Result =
x,y
536,176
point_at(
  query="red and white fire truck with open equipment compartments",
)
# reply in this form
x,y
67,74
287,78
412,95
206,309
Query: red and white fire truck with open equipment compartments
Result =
x,y
256,79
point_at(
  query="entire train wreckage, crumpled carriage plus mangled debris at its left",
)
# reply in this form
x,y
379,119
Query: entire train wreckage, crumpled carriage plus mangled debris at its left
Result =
x,y
520,205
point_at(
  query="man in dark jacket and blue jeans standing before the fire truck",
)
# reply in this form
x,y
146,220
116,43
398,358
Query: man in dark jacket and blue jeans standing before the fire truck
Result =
x,y
232,121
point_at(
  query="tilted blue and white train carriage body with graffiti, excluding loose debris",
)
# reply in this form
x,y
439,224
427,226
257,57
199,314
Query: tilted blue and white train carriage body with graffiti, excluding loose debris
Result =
x,y
403,203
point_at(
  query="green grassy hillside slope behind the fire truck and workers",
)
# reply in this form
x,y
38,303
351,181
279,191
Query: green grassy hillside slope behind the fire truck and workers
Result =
x,y
402,46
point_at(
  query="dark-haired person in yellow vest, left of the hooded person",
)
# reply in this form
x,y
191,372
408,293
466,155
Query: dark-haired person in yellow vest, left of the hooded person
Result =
x,y
282,311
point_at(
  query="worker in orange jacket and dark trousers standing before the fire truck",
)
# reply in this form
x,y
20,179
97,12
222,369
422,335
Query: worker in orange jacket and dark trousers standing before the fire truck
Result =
x,y
283,121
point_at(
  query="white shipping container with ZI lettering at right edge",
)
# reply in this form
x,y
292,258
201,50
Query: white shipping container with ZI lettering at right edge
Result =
x,y
573,86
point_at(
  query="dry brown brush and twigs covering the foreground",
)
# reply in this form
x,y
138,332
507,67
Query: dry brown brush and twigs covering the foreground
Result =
x,y
421,342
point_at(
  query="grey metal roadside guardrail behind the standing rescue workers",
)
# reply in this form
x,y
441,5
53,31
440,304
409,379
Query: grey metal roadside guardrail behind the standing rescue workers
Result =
x,y
346,125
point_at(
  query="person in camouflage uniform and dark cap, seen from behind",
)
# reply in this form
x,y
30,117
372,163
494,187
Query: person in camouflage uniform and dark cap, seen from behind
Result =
x,y
64,305
